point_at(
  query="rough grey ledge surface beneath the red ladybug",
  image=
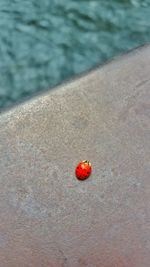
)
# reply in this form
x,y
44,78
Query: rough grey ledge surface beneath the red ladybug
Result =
x,y
47,217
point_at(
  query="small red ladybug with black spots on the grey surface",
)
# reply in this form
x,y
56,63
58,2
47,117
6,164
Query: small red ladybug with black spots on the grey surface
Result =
x,y
83,170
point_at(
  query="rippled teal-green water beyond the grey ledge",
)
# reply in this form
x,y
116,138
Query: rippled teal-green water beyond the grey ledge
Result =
x,y
43,42
